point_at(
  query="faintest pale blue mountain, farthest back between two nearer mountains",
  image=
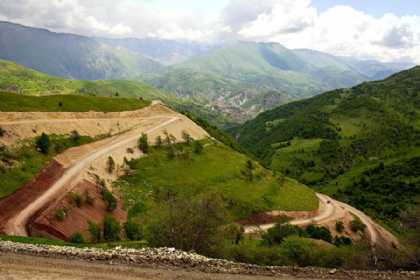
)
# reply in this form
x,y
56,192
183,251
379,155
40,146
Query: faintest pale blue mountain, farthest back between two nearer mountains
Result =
x,y
166,52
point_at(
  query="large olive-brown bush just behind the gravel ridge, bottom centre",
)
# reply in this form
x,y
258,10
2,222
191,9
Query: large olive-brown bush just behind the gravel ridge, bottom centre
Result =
x,y
189,224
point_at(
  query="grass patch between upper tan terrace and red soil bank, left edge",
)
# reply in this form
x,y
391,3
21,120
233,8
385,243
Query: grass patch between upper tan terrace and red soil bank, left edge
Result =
x,y
18,165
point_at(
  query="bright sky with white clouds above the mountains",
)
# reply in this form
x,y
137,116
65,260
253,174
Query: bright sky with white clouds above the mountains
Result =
x,y
388,30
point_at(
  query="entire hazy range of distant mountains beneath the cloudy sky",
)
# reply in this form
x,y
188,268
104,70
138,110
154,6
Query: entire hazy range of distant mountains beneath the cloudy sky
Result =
x,y
240,79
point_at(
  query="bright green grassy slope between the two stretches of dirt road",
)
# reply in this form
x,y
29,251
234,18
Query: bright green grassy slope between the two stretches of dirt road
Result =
x,y
217,170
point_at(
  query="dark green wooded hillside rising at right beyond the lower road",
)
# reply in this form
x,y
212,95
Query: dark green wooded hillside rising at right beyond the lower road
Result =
x,y
360,144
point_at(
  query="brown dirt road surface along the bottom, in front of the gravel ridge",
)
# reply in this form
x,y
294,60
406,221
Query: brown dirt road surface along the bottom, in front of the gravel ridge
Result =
x,y
19,267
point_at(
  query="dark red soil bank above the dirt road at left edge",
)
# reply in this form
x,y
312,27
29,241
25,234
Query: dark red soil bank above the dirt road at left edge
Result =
x,y
19,200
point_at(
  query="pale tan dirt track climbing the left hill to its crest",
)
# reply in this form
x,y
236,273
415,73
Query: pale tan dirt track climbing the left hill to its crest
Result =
x,y
80,162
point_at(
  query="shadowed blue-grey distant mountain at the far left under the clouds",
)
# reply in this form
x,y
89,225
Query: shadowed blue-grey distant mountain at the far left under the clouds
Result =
x,y
71,56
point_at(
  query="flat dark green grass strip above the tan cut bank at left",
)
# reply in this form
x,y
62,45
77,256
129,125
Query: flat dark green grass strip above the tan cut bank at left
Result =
x,y
67,103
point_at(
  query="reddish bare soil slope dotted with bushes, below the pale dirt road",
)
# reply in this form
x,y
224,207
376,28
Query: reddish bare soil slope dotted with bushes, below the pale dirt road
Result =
x,y
76,219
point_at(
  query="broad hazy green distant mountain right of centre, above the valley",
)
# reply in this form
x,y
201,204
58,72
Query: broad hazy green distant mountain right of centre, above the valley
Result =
x,y
253,77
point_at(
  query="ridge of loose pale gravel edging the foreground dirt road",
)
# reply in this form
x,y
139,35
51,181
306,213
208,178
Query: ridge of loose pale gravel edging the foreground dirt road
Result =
x,y
170,257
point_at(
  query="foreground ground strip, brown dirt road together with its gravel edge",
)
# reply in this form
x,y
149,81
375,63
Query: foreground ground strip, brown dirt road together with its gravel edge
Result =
x,y
17,261
